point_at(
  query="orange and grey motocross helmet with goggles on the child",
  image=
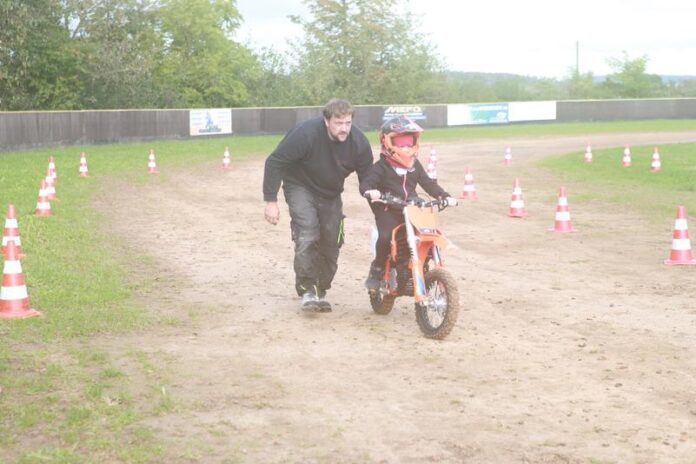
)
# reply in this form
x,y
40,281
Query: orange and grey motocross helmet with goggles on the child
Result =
x,y
400,139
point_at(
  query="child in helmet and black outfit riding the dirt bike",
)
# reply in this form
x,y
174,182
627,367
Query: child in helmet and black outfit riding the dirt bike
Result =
x,y
396,172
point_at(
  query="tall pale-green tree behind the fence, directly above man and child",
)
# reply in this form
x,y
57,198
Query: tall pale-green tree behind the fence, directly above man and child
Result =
x,y
363,50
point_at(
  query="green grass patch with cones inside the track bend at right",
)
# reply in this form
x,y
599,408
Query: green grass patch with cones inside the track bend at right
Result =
x,y
653,194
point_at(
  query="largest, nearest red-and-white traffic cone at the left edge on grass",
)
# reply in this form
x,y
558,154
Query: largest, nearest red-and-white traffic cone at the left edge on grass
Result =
x,y
14,300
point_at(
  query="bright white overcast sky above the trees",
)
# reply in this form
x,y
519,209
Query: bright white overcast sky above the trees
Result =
x,y
540,38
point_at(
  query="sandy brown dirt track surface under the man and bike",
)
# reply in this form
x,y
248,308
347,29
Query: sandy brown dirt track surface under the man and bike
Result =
x,y
570,348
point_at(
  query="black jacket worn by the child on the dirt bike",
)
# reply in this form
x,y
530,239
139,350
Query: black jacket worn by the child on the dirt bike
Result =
x,y
383,177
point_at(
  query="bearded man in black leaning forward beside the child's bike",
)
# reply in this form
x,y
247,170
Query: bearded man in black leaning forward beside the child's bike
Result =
x,y
312,162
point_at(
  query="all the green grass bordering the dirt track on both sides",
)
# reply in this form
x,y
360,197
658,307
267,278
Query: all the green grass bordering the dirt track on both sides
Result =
x,y
55,387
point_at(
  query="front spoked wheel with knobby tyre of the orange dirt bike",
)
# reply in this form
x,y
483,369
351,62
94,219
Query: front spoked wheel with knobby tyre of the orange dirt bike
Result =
x,y
437,314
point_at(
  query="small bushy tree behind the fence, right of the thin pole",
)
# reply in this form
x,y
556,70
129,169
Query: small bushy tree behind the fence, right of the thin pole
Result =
x,y
630,80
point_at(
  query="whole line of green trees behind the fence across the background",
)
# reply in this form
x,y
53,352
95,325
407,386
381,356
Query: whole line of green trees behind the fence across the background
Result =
x,y
103,54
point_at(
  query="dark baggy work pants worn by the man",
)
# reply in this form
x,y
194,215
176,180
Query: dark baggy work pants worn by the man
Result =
x,y
316,224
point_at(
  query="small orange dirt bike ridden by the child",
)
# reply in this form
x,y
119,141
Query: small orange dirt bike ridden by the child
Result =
x,y
415,267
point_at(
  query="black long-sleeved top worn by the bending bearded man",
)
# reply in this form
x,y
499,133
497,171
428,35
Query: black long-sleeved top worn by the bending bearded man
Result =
x,y
307,156
